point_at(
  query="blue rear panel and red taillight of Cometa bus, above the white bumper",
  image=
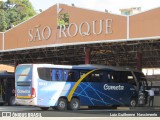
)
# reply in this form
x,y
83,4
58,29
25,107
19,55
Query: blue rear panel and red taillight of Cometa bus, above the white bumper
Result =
x,y
24,88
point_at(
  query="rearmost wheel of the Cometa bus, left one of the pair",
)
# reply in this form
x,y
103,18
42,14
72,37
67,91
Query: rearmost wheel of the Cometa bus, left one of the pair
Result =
x,y
62,104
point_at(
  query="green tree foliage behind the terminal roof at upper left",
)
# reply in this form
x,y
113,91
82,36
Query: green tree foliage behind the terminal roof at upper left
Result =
x,y
13,12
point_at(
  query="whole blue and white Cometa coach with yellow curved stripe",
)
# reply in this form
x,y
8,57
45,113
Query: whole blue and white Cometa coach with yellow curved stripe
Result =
x,y
69,87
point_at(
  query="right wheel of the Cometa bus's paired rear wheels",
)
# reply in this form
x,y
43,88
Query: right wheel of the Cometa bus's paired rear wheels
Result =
x,y
74,104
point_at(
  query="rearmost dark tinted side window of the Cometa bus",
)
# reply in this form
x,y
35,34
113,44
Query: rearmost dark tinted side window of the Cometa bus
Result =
x,y
44,73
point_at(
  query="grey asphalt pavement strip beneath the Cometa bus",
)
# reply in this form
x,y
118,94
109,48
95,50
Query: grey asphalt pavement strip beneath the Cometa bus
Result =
x,y
30,111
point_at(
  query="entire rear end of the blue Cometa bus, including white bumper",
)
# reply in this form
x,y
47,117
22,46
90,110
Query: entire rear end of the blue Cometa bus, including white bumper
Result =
x,y
25,92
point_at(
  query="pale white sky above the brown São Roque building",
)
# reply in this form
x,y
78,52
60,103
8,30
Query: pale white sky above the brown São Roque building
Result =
x,y
112,6
